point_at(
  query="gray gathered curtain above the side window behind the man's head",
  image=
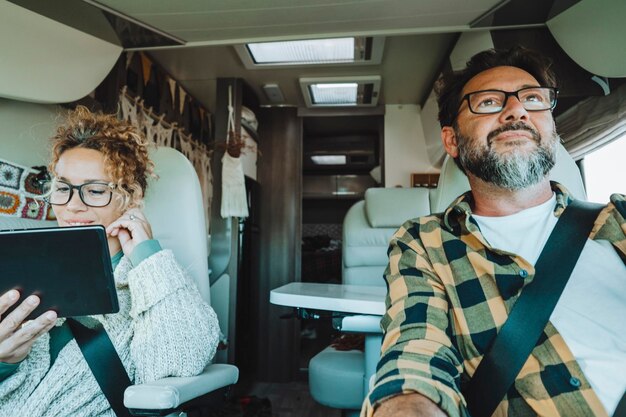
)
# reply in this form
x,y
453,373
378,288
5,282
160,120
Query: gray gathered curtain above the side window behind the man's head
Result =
x,y
593,123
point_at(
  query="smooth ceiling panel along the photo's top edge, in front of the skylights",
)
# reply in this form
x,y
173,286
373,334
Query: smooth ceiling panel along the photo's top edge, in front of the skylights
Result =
x,y
221,22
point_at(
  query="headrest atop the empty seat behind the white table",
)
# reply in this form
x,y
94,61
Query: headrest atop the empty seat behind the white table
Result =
x,y
390,207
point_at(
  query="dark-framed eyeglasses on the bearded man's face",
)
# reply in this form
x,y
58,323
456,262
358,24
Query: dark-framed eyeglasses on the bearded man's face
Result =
x,y
493,101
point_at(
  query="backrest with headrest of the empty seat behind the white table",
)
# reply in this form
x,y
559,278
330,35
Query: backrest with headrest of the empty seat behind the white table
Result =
x,y
368,227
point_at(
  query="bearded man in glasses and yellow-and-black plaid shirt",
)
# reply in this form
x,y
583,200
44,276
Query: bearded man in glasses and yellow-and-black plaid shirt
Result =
x,y
453,277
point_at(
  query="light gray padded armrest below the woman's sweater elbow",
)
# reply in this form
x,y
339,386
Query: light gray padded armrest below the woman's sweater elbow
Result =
x,y
169,393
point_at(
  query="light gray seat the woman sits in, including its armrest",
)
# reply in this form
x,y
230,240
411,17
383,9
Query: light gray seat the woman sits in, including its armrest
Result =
x,y
175,211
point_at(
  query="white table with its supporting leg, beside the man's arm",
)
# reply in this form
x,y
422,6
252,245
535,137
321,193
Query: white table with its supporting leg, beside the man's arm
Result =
x,y
365,306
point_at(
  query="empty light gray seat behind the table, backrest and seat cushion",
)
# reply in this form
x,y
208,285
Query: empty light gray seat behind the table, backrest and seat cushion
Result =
x,y
337,378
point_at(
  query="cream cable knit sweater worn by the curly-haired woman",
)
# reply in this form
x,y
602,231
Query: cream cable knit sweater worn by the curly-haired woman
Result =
x,y
164,328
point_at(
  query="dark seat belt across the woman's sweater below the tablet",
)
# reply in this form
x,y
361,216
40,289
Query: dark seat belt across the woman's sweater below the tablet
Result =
x,y
104,362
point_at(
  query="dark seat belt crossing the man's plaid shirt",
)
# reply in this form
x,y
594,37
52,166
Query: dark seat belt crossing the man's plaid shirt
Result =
x,y
529,316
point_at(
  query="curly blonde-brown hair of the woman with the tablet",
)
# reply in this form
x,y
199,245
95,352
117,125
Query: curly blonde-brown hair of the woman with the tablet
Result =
x,y
125,150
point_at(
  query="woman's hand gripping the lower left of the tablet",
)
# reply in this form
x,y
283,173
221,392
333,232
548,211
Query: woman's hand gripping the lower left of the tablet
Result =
x,y
16,340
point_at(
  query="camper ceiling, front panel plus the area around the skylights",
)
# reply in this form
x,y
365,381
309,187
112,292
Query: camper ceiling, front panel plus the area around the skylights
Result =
x,y
422,33
